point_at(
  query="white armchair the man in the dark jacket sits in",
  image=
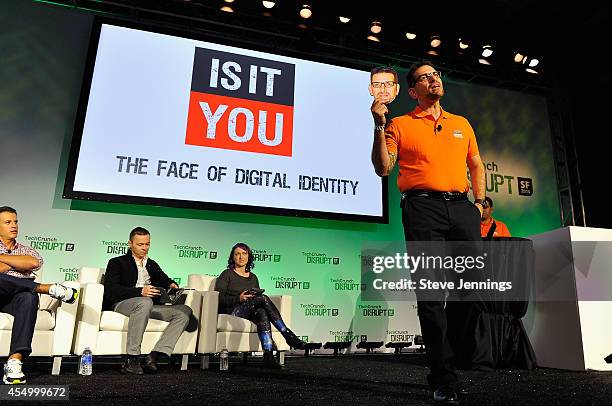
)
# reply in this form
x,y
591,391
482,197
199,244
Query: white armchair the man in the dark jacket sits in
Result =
x,y
105,332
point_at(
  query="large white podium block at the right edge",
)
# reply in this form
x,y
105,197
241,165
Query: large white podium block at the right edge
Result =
x,y
566,327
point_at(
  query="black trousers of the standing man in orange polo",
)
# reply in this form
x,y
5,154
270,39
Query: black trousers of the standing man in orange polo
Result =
x,y
428,219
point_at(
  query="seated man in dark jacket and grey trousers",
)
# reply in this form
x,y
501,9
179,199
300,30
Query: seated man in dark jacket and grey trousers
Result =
x,y
131,287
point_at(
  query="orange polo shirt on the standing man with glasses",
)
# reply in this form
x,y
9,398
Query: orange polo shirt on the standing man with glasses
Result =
x,y
430,159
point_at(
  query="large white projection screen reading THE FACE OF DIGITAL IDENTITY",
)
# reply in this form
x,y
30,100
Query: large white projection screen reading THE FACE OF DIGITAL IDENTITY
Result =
x,y
243,127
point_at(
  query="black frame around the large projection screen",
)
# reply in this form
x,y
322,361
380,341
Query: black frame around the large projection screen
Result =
x,y
70,193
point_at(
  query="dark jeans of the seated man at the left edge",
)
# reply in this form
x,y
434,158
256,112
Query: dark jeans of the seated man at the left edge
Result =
x,y
18,299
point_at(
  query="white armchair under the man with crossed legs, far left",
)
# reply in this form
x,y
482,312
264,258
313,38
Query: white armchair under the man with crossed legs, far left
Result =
x,y
54,330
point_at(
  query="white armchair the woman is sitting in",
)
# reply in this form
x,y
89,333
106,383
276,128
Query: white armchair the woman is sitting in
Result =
x,y
219,331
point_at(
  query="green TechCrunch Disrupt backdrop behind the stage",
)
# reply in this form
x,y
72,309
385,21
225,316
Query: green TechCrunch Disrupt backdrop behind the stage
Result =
x,y
316,261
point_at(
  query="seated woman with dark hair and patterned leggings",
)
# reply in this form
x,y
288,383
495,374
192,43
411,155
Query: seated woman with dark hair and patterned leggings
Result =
x,y
233,286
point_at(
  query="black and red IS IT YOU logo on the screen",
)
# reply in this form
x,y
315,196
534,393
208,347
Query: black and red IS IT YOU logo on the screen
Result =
x,y
241,103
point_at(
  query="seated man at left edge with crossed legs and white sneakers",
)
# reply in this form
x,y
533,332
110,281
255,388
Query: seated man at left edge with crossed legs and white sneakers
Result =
x,y
18,293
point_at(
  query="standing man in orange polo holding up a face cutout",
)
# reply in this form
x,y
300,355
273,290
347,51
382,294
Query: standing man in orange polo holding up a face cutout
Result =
x,y
432,147
